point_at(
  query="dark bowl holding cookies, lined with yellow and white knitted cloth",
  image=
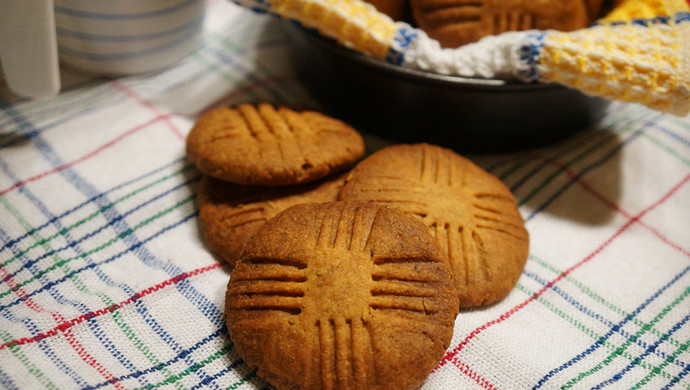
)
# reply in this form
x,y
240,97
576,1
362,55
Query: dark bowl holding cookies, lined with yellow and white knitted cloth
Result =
x,y
486,76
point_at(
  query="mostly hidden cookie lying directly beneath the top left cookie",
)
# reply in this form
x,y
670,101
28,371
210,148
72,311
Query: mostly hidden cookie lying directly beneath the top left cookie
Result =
x,y
229,213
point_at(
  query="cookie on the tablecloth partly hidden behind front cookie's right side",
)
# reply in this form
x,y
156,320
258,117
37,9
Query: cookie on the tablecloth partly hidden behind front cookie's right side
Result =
x,y
472,214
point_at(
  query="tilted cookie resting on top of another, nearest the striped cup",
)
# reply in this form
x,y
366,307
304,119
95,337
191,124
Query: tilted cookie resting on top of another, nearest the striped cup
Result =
x,y
262,145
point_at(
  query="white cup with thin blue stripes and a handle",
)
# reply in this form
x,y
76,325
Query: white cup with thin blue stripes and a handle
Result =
x,y
112,37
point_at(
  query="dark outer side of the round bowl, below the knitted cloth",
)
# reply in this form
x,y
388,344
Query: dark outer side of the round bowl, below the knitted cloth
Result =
x,y
407,105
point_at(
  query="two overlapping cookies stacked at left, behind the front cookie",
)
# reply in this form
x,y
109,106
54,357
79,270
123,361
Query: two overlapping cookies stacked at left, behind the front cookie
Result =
x,y
258,160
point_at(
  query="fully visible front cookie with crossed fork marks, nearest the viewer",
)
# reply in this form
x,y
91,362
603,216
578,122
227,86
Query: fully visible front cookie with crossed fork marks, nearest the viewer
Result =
x,y
346,295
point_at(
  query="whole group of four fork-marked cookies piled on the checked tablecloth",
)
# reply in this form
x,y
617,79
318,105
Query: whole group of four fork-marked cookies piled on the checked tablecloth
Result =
x,y
343,278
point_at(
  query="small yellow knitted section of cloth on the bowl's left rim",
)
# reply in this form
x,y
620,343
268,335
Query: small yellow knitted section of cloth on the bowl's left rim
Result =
x,y
354,24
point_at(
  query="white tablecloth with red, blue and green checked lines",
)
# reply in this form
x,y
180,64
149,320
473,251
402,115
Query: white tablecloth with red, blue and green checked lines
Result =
x,y
107,283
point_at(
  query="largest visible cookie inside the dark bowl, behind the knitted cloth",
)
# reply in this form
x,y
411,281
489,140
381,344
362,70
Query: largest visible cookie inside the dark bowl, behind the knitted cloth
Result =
x,y
457,22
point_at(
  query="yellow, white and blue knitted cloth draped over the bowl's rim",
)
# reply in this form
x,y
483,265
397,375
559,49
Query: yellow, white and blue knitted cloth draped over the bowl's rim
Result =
x,y
637,53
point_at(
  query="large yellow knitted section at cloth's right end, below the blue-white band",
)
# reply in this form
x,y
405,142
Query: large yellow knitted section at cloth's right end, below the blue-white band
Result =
x,y
633,63
